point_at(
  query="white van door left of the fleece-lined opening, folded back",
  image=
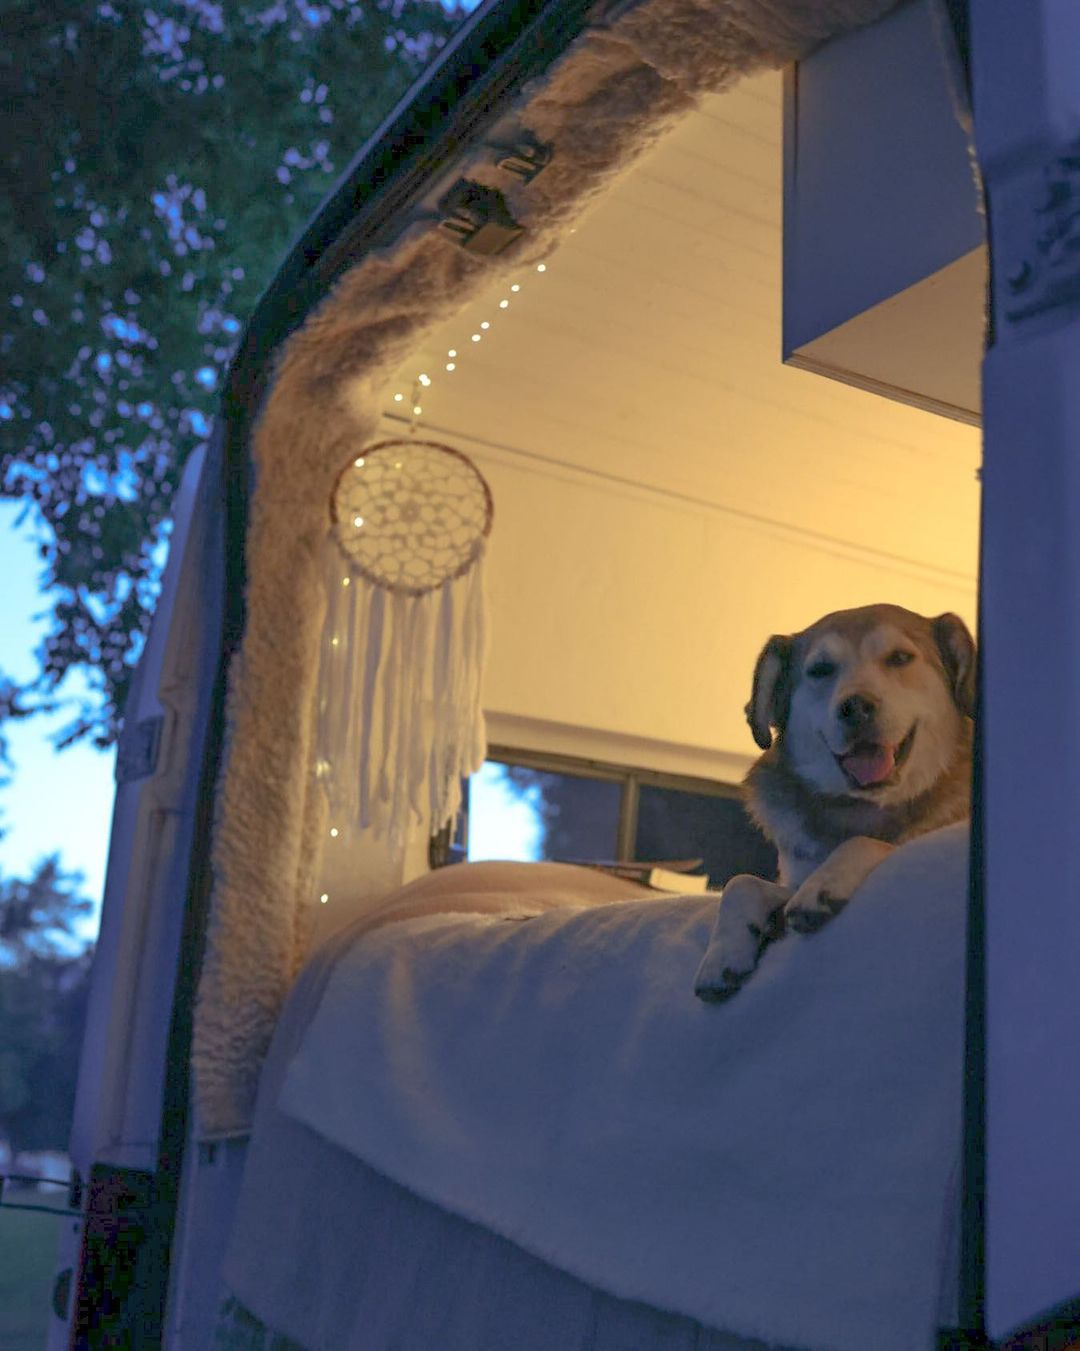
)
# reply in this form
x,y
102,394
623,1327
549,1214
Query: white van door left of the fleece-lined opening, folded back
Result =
x,y
125,1091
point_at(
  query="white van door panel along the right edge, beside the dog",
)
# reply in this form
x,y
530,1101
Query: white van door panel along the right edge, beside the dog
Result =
x,y
1023,1257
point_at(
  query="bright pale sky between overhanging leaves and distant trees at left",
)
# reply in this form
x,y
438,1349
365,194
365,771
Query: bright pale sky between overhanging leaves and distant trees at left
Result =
x,y
56,802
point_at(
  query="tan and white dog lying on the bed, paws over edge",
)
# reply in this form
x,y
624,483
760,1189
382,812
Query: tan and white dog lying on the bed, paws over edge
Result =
x,y
867,723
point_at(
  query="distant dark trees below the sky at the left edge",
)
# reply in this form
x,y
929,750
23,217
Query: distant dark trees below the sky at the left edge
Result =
x,y
44,991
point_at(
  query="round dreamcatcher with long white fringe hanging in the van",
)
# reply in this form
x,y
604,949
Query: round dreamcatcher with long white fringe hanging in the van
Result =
x,y
399,690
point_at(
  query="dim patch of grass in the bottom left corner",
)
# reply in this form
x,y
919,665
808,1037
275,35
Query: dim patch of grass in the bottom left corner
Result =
x,y
28,1271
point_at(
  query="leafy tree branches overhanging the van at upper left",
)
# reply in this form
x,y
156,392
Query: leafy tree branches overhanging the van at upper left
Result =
x,y
155,165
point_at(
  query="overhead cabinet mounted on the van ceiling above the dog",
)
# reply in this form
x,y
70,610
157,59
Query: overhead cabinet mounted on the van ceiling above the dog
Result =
x,y
885,255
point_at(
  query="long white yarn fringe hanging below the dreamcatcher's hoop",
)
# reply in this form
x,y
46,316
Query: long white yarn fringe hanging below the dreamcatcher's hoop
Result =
x,y
401,722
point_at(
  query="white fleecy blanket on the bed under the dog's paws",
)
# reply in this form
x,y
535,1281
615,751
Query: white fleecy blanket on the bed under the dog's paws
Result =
x,y
779,1167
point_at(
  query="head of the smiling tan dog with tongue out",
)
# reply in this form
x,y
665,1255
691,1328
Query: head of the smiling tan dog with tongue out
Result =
x,y
868,703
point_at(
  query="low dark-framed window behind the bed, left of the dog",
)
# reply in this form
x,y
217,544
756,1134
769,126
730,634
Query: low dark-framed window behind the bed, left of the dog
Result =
x,y
544,807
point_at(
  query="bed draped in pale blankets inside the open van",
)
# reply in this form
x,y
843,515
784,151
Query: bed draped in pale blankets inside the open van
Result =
x,y
494,1117
